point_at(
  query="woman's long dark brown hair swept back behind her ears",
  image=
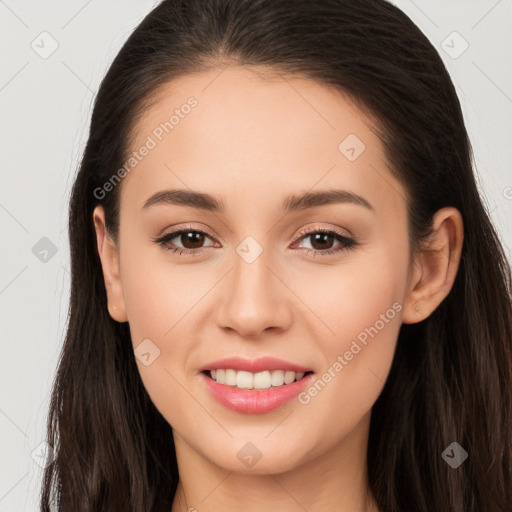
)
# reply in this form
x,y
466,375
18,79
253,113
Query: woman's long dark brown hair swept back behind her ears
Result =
x,y
451,379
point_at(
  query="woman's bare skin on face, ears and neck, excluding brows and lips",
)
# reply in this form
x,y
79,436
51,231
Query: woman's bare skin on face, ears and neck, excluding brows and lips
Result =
x,y
253,139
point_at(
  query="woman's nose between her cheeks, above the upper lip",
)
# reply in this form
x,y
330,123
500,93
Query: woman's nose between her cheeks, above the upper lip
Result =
x,y
253,298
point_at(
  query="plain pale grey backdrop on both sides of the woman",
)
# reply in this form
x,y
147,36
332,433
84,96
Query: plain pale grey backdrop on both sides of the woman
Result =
x,y
45,103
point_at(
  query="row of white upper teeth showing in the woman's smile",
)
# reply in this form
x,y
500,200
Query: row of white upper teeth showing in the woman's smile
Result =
x,y
260,380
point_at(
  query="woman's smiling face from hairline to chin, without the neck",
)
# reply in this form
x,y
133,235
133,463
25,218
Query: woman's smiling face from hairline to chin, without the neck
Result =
x,y
256,271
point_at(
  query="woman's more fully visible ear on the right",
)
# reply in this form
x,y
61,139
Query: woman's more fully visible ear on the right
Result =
x,y
435,267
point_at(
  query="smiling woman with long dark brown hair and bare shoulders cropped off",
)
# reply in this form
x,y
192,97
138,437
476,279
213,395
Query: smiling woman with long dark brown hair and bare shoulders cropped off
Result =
x,y
286,290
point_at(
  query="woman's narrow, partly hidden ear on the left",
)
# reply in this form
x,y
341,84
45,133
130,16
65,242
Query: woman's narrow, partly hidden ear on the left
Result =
x,y
110,264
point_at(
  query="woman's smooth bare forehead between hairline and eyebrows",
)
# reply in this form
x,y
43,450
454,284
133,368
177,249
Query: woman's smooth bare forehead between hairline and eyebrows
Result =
x,y
231,129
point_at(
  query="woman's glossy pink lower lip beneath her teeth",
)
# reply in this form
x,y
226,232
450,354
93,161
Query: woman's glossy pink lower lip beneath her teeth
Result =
x,y
253,401
